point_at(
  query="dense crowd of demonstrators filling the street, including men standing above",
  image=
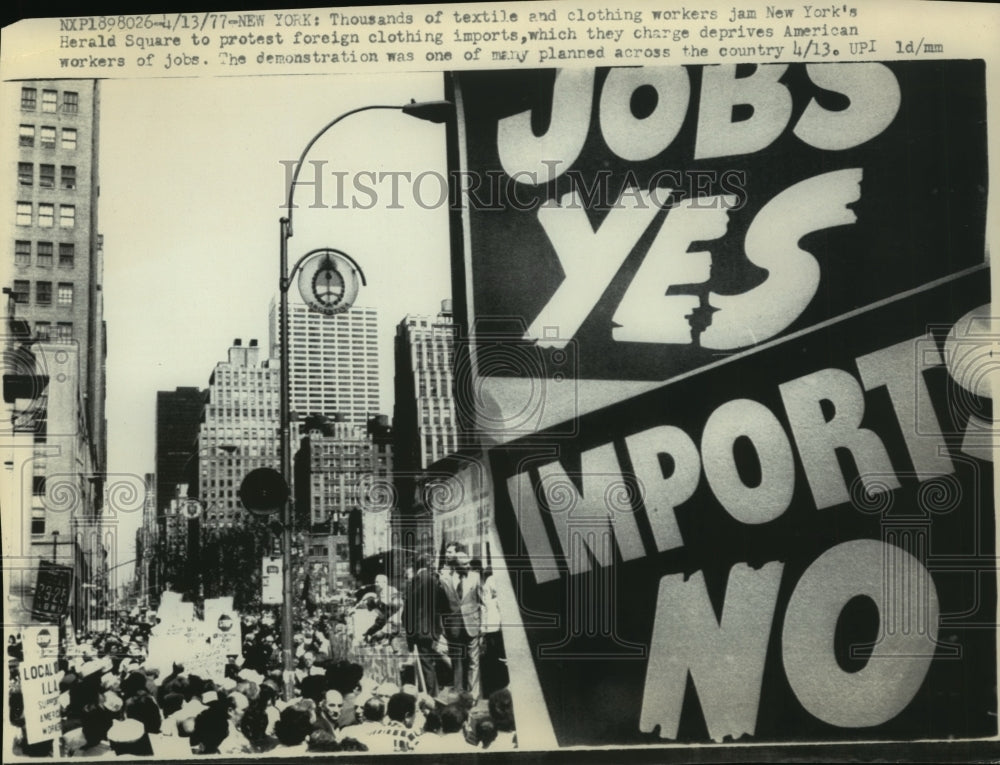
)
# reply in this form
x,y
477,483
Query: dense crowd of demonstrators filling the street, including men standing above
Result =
x,y
447,695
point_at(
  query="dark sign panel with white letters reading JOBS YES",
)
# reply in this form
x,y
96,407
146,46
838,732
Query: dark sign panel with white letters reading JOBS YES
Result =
x,y
657,217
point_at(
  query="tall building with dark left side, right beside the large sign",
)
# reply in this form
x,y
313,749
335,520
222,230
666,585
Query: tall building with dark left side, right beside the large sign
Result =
x,y
424,418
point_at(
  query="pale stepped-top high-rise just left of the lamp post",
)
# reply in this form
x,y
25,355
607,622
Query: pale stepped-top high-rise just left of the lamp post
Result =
x,y
238,432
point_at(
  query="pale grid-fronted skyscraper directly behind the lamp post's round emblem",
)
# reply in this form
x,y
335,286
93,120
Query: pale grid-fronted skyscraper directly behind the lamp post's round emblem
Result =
x,y
334,362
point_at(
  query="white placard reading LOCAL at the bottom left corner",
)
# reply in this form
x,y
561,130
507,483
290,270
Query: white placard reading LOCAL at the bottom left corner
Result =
x,y
40,677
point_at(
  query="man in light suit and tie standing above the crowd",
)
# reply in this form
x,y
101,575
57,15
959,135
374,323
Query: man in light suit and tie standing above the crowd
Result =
x,y
463,622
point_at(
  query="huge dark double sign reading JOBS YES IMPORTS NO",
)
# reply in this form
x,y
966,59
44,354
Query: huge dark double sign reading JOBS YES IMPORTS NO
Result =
x,y
790,535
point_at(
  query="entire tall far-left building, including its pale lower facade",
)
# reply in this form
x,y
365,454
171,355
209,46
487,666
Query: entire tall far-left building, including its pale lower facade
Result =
x,y
54,388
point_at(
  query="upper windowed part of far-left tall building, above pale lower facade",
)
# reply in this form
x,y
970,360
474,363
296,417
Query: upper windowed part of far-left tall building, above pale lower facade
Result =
x,y
57,264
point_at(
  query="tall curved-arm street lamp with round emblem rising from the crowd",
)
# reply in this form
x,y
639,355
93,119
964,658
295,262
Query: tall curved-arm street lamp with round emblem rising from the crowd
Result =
x,y
430,111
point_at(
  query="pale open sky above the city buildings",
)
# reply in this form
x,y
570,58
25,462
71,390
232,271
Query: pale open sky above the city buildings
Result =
x,y
192,189
